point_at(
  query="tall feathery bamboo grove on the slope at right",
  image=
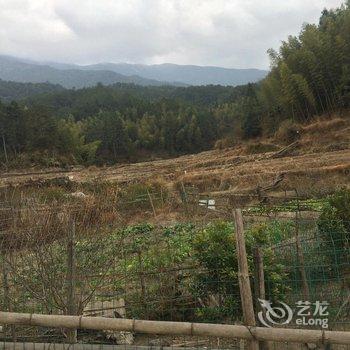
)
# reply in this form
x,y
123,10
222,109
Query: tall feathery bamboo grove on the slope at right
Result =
x,y
311,73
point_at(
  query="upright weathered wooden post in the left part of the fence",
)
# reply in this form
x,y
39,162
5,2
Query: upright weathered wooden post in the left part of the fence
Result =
x,y
71,280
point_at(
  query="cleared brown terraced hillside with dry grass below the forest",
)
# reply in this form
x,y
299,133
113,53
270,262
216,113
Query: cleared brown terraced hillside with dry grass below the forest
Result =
x,y
317,163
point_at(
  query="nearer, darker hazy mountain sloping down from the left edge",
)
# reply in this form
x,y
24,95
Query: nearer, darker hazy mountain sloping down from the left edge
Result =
x,y
12,69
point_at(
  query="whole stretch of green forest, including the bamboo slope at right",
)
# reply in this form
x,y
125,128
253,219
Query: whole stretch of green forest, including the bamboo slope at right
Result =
x,y
310,75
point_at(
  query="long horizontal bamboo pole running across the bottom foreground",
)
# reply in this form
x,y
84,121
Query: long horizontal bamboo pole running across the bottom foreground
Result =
x,y
177,328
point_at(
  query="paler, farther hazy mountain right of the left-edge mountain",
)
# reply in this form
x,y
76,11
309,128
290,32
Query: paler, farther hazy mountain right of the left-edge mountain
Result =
x,y
187,74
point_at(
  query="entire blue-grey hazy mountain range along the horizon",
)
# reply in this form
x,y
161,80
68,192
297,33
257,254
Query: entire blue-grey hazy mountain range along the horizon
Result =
x,y
78,76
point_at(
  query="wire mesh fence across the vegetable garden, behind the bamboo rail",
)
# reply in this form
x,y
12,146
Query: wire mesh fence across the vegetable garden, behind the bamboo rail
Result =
x,y
80,259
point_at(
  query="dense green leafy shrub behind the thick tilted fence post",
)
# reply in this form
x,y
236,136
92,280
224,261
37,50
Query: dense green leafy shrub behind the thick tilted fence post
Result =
x,y
217,286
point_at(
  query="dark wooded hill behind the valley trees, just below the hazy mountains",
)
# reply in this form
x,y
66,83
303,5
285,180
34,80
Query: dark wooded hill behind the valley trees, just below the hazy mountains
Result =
x,y
83,103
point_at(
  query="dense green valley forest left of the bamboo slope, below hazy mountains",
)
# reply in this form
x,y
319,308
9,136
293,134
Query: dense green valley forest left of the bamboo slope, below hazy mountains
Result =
x,y
105,124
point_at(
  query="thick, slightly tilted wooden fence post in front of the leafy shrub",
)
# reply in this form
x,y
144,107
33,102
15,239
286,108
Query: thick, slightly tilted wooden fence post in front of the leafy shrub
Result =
x,y
243,277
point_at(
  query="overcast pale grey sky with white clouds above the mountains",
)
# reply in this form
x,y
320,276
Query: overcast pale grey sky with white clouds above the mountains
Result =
x,y
226,33
